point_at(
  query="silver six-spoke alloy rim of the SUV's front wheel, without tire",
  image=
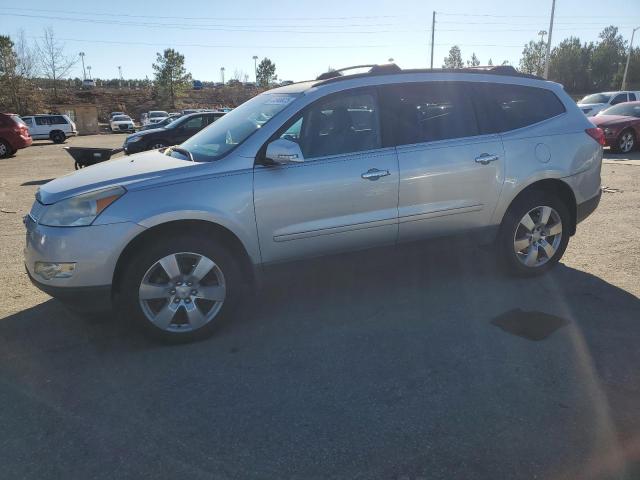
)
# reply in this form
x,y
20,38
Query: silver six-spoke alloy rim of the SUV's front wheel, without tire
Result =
x,y
182,292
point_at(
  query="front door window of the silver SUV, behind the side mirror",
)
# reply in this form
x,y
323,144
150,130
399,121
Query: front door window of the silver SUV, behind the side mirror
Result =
x,y
342,124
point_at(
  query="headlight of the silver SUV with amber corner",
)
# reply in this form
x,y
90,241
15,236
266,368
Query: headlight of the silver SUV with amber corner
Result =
x,y
81,210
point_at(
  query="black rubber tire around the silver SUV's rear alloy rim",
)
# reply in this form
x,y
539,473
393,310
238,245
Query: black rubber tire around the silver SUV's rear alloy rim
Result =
x,y
511,260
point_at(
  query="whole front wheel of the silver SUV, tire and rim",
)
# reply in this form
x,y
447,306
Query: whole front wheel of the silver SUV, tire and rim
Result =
x,y
180,289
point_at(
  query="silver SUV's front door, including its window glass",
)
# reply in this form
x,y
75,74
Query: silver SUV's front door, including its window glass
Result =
x,y
343,196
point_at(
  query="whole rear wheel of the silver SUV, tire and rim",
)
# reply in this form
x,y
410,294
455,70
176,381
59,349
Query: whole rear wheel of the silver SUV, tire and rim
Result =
x,y
534,234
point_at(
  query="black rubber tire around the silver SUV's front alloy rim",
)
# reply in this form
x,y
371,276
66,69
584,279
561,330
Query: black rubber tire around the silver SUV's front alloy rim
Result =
x,y
145,258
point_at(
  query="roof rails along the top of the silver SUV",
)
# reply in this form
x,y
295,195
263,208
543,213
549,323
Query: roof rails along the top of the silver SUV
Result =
x,y
391,68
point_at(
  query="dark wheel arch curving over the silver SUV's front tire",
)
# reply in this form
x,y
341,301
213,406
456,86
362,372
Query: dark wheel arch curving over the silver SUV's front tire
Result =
x,y
216,231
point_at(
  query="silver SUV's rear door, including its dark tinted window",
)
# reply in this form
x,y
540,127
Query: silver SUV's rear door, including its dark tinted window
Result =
x,y
451,173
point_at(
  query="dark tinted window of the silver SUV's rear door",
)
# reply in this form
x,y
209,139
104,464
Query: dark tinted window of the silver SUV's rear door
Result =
x,y
430,111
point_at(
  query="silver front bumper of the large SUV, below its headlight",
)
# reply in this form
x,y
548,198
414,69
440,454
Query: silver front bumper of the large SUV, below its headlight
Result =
x,y
95,249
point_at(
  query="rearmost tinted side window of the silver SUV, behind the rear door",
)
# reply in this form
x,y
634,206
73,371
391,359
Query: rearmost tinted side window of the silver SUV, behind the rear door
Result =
x,y
503,107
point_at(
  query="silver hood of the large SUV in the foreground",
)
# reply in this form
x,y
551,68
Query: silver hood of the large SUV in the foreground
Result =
x,y
127,171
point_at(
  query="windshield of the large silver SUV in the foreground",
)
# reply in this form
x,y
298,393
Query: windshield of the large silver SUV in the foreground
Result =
x,y
236,126
